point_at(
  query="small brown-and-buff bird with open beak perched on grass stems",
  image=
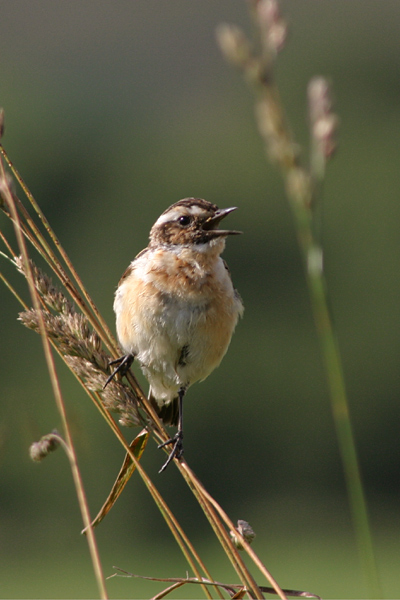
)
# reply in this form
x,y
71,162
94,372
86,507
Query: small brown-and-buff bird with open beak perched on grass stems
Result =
x,y
176,308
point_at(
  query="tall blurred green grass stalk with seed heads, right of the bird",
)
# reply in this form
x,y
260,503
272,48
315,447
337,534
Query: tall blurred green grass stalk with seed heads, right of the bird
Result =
x,y
257,60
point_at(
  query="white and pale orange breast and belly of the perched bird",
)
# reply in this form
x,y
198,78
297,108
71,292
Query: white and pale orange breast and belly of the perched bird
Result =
x,y
177,338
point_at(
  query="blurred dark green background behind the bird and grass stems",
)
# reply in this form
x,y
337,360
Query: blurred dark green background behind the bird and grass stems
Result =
x,y
115,110
